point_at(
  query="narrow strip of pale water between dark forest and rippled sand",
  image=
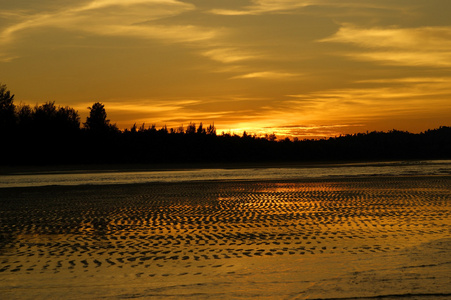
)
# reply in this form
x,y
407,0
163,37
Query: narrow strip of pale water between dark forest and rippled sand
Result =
x,y
400,168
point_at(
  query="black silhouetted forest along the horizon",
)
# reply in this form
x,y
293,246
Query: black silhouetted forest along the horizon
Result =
x,y
48,134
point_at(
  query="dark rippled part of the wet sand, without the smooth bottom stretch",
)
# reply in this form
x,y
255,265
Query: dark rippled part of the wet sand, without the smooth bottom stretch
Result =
x,y
203,229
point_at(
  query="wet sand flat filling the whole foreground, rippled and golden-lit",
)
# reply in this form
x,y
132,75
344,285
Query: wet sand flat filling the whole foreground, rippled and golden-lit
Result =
x,y
383,238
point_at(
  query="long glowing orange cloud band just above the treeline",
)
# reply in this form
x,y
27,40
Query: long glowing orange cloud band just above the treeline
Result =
x,y
323,113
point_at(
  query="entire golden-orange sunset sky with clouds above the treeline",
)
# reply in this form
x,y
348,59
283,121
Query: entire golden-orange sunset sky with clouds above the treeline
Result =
x,y
299,68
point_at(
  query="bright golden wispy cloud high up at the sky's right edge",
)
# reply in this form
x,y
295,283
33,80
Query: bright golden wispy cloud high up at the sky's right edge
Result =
x,y
424,46
